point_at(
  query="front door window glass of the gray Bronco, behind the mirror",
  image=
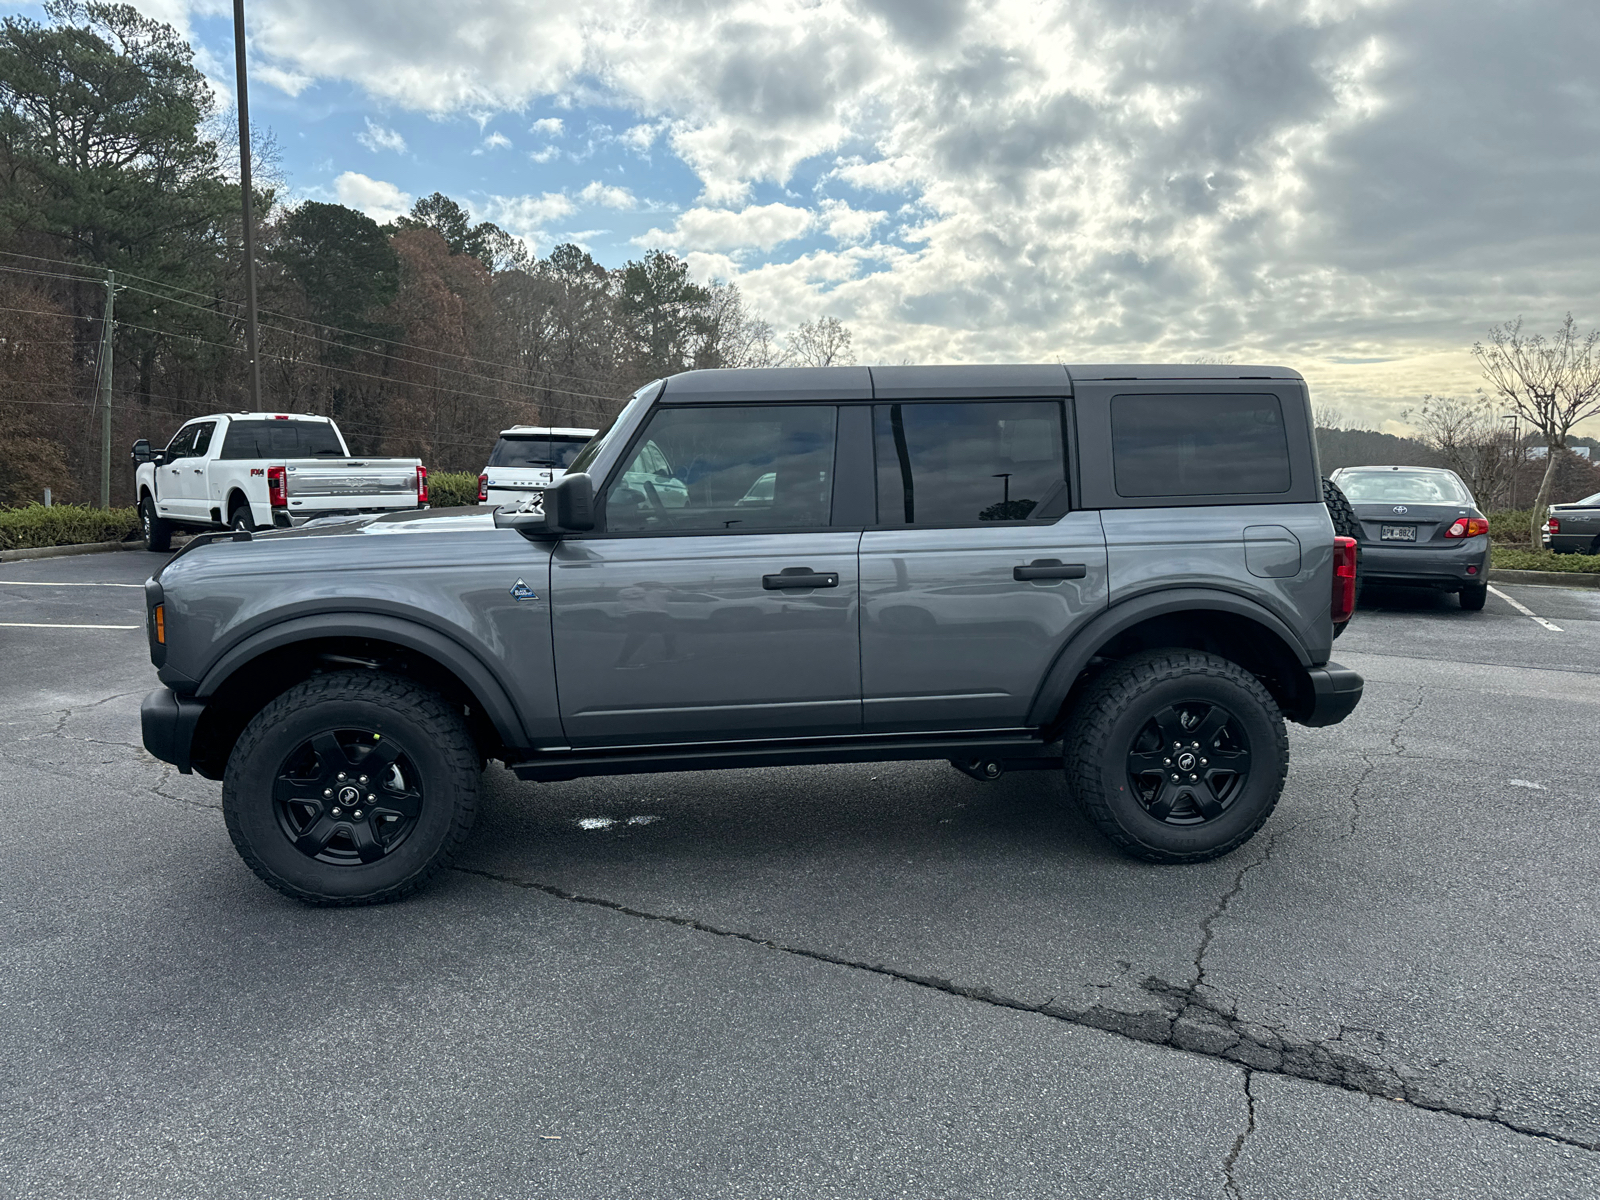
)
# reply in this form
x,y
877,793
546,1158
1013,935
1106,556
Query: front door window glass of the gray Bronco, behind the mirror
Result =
x,y
727,470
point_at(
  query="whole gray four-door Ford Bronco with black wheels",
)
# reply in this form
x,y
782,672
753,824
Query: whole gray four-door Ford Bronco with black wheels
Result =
x,y
1126,574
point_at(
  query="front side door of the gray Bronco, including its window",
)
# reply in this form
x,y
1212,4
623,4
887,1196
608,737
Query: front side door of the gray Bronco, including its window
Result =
x,y
716,601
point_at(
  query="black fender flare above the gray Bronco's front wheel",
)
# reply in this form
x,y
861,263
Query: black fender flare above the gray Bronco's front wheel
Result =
x,y
466,666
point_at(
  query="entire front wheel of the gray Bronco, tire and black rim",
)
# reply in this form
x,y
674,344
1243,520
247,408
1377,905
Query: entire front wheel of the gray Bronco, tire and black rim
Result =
x,y
351,790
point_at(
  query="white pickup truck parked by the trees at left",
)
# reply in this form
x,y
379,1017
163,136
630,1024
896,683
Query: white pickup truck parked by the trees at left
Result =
x,y
265,470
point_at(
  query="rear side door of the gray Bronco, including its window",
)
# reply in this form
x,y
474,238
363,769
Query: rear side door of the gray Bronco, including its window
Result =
x,y
977,572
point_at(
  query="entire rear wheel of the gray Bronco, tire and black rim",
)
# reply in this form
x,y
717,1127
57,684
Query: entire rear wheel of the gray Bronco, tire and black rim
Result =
x,y
1177,756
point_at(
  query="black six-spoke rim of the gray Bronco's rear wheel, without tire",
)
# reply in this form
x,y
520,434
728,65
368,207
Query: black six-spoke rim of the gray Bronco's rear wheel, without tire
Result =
x,y
1190,764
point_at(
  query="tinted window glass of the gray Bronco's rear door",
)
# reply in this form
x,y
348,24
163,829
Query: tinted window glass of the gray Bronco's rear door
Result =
x,y
967,463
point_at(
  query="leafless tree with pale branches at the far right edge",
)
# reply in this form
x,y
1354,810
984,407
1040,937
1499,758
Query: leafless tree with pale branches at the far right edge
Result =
x,y
1551,385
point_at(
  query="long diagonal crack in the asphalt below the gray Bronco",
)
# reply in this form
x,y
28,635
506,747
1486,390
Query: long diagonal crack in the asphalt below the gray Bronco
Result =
x,y
1185,1022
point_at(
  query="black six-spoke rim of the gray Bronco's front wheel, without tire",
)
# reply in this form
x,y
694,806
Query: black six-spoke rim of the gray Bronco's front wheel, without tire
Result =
x,y
348,796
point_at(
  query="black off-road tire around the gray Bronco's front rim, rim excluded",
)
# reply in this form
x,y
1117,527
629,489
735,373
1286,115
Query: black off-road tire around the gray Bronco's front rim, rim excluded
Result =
x,y
436,742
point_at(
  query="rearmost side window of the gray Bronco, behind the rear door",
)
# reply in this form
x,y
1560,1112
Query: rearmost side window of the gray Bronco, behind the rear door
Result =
x,y
1199,446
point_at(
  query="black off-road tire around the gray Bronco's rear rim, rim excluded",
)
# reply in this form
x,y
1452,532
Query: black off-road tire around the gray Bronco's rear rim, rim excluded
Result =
x,y
1106,722
